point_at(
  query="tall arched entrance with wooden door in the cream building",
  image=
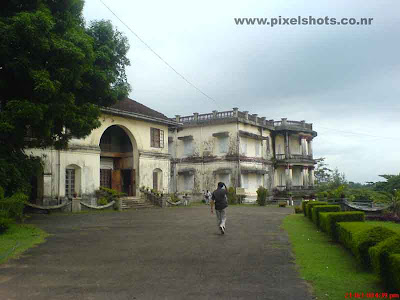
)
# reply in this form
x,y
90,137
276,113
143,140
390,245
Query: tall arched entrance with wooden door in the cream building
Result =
x,y
118,160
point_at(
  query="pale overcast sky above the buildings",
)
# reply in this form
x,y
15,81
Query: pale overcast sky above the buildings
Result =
x,y
343,79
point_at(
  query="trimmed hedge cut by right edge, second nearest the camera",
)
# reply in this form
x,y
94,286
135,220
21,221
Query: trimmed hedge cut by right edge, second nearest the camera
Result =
x,y
380,253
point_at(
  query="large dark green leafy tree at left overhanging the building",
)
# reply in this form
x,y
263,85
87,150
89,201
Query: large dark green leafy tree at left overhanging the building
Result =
x,y
55,74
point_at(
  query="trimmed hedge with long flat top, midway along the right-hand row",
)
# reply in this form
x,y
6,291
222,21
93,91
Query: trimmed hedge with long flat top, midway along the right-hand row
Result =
x,y
329,220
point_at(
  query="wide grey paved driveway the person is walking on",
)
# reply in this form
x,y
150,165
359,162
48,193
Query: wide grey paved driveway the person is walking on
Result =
x,y
172,253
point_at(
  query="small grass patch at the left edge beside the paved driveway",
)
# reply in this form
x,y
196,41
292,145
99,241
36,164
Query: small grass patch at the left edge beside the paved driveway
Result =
x,y
19,238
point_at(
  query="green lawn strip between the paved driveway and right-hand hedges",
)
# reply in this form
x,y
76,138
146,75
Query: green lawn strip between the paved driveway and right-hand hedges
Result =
x,y
328,266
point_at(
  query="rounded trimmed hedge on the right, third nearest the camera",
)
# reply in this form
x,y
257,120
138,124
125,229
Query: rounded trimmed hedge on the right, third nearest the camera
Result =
x,y
367,239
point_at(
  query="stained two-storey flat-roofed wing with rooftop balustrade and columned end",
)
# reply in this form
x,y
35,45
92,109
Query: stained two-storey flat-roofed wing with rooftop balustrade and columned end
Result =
x,y
241,150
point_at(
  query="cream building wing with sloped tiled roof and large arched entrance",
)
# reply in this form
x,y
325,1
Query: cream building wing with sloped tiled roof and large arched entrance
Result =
x,y
127,151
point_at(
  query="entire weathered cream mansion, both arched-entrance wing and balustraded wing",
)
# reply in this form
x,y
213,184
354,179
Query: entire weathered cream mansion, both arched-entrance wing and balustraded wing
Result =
x,y
136,146
